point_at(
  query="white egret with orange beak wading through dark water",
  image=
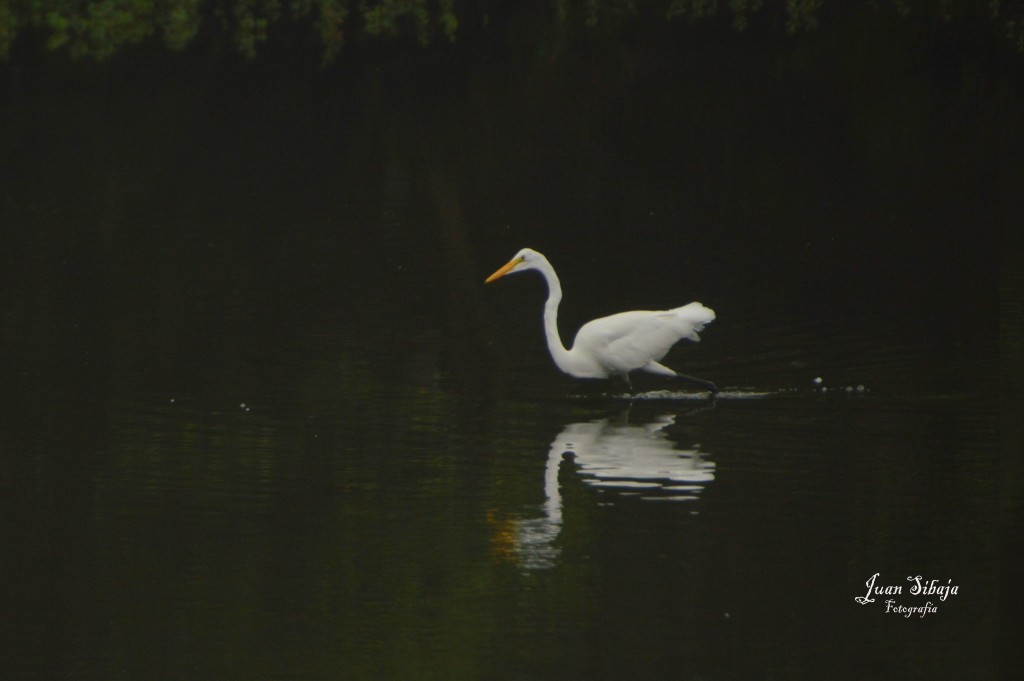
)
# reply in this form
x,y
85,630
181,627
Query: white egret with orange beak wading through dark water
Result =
x,y
618,345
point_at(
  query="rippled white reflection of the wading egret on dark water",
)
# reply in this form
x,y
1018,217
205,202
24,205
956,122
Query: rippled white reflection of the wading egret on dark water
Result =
x,y
611,455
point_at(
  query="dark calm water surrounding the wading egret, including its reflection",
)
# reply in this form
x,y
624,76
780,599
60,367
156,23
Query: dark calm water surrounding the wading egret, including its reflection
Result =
x,y
262,419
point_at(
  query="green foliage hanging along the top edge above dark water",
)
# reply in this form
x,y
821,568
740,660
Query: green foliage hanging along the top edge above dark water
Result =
x,y
98,29
